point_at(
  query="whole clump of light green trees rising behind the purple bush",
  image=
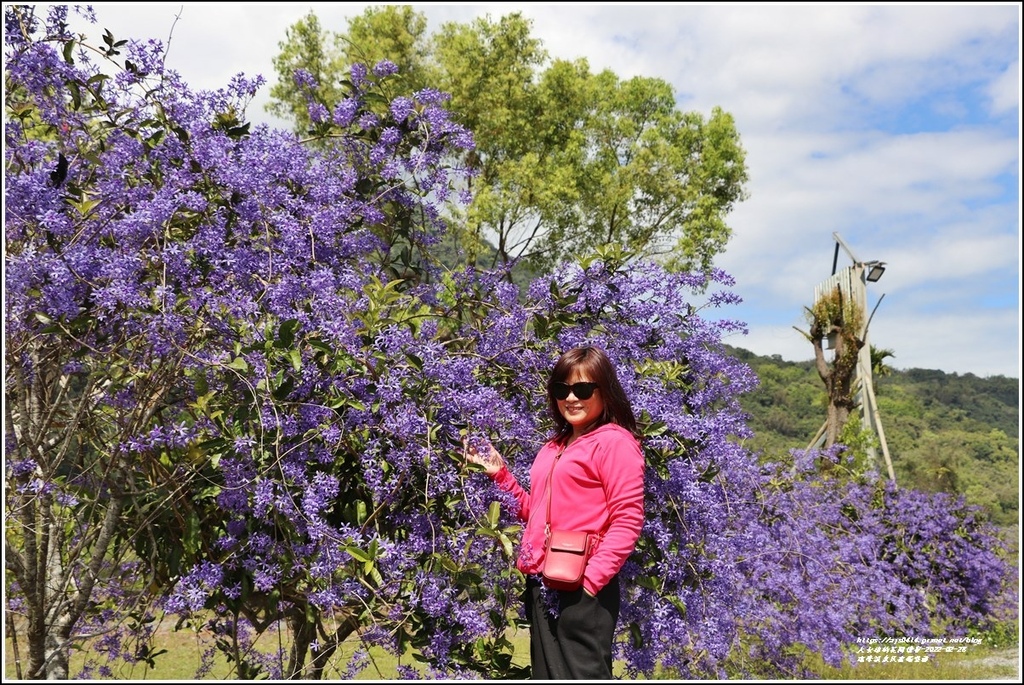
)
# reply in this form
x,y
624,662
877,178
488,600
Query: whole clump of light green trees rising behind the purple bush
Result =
x,y
567,160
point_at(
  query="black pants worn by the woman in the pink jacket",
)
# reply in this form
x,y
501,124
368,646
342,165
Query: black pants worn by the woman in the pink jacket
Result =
x,y
577,645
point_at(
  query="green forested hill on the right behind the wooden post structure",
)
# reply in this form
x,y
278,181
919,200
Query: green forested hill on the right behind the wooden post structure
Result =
x,y
945,432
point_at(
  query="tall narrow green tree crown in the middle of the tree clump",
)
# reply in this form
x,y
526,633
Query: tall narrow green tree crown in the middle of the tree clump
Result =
x,y
491,71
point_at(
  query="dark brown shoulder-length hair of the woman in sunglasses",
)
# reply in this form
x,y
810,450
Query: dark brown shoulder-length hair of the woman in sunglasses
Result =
x,y
594,364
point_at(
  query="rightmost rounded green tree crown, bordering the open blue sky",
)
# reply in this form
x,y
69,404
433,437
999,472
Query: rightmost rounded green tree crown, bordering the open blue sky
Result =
x,y
656,180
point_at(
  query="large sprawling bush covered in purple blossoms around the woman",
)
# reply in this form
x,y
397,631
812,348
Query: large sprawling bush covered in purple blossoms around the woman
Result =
x,y
269,380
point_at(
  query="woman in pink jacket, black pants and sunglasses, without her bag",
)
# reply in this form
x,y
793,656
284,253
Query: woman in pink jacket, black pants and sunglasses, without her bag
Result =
x,y
596,472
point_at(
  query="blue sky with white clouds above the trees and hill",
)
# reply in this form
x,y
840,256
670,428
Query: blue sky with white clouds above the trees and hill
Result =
x,y
892,127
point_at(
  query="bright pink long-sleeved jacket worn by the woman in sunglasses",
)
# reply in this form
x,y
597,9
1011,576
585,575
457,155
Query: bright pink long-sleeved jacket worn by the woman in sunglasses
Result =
x,y
598,486
